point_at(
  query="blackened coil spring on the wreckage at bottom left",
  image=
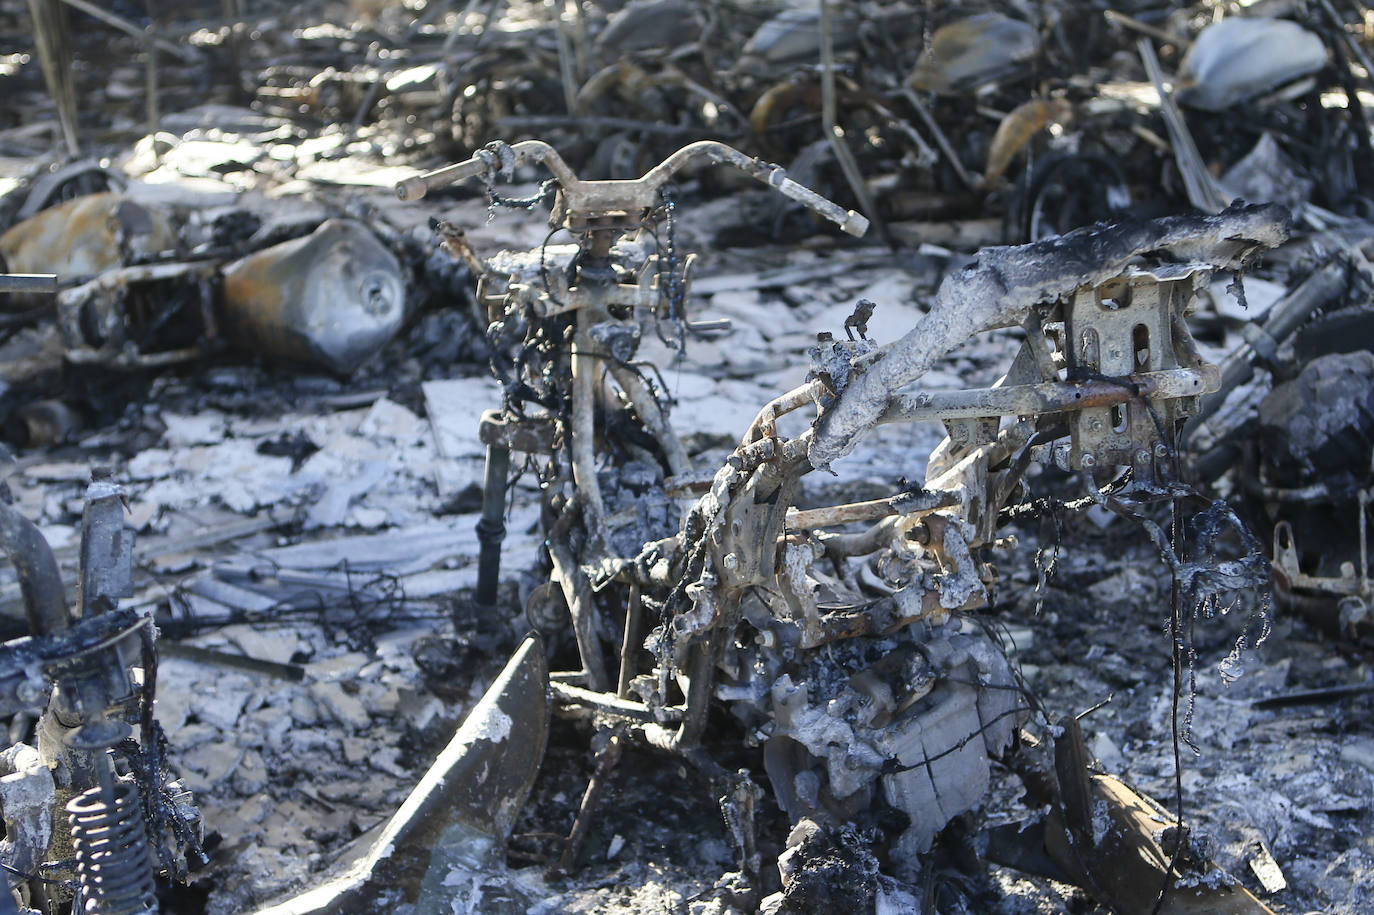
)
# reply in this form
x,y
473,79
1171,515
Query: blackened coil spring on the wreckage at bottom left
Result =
x,y
115,866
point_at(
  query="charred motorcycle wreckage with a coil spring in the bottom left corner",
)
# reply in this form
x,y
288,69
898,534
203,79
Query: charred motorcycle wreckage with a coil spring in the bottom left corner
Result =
x,y
91,814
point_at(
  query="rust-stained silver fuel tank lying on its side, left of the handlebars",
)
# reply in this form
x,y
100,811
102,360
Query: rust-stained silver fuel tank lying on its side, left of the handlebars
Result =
x,y
332,299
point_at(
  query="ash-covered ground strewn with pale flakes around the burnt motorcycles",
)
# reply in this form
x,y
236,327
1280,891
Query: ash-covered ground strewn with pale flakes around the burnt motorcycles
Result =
x,y
308,546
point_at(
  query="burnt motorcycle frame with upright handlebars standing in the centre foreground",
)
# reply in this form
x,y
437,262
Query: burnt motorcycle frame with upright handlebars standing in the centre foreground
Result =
x,y
853,659
